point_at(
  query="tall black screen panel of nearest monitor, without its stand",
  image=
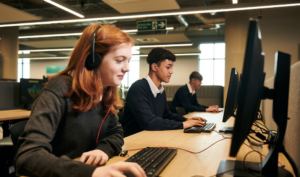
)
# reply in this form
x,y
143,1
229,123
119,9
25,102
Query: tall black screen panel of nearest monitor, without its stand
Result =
x,y
251,88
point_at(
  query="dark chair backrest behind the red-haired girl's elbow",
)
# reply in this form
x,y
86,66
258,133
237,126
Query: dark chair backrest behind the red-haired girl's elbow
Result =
x,y
15,132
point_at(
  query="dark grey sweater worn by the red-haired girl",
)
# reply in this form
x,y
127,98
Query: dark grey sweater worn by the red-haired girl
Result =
x,y
55,134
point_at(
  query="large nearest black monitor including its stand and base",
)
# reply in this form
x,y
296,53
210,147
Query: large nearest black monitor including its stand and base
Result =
x,y
251,92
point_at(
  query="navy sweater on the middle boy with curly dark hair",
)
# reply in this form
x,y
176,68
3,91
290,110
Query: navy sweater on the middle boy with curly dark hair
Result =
x,y
143,111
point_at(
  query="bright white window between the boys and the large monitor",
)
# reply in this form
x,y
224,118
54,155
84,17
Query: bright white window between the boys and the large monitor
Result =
x,y
212,63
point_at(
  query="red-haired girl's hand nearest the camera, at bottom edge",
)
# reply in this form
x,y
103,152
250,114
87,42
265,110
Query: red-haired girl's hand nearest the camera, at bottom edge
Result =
x,y
117,169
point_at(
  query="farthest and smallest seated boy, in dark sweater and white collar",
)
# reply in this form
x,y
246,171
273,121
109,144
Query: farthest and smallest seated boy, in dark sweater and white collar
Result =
x,y
186,96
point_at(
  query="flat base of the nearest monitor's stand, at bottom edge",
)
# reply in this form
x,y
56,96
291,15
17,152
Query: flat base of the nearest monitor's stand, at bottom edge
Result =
x,y
236,168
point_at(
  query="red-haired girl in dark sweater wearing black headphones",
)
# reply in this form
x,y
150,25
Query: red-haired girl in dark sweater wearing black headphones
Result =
x,y
67,115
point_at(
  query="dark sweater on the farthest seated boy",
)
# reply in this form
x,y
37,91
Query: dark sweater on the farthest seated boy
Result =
x,y
183,98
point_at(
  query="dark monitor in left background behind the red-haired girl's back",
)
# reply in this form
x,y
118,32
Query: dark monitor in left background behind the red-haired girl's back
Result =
x,y
29,89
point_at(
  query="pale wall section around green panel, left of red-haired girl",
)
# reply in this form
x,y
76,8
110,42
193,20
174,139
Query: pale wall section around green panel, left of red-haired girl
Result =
x,y
38,67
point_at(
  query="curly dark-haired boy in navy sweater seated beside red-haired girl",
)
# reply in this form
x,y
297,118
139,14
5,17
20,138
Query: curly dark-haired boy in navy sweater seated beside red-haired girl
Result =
x,y
146,104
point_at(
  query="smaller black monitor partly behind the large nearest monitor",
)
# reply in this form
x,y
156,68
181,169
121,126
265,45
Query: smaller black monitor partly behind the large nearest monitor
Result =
x,y
231,95
